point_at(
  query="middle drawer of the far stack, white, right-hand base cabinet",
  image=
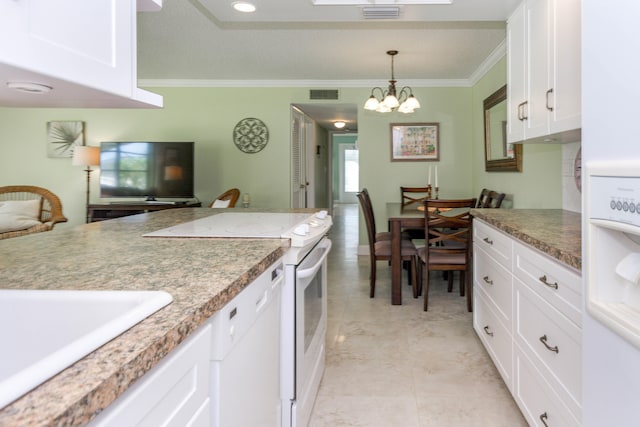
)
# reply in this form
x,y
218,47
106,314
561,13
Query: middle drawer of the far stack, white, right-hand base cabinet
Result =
x,y
496,282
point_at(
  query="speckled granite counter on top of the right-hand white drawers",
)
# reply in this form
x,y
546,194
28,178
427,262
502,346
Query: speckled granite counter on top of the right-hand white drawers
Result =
x,y
555,232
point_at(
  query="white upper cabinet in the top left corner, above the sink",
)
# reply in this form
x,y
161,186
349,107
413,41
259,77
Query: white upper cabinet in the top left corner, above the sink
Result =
x,y
85,51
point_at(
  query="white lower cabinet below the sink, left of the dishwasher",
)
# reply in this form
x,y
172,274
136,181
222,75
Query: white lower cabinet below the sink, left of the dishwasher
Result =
x,y
175,392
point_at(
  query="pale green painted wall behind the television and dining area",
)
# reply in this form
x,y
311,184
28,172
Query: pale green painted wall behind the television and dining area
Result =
x,y
208,115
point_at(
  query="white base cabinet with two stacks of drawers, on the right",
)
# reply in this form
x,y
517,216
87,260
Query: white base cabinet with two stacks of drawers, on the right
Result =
x,y
527,314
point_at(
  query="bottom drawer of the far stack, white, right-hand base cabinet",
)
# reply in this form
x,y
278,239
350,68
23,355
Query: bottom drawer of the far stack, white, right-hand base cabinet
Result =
x,y
496,338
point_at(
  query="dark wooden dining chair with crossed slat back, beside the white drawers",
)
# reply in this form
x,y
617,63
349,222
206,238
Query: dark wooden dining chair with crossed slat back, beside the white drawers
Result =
x,y
448,248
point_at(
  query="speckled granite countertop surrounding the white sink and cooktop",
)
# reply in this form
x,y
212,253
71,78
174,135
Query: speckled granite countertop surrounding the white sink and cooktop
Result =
x,y
201,274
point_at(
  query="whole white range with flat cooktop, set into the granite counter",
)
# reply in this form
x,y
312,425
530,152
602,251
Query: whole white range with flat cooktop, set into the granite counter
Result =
x,y
303,312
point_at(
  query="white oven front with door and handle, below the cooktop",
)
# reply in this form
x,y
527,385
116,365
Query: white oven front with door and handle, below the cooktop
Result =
x,y
304,323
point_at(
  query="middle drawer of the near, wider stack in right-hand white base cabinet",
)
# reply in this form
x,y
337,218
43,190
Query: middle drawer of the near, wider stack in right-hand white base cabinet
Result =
x,y
552,341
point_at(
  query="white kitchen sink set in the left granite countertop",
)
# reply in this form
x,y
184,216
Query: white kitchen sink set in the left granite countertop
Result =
x,y
45,331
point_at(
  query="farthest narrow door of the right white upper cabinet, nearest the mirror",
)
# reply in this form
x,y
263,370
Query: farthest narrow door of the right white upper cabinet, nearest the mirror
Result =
x,y
516,75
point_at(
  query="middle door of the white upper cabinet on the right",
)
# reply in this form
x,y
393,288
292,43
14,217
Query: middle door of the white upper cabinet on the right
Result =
x,y
537,35
